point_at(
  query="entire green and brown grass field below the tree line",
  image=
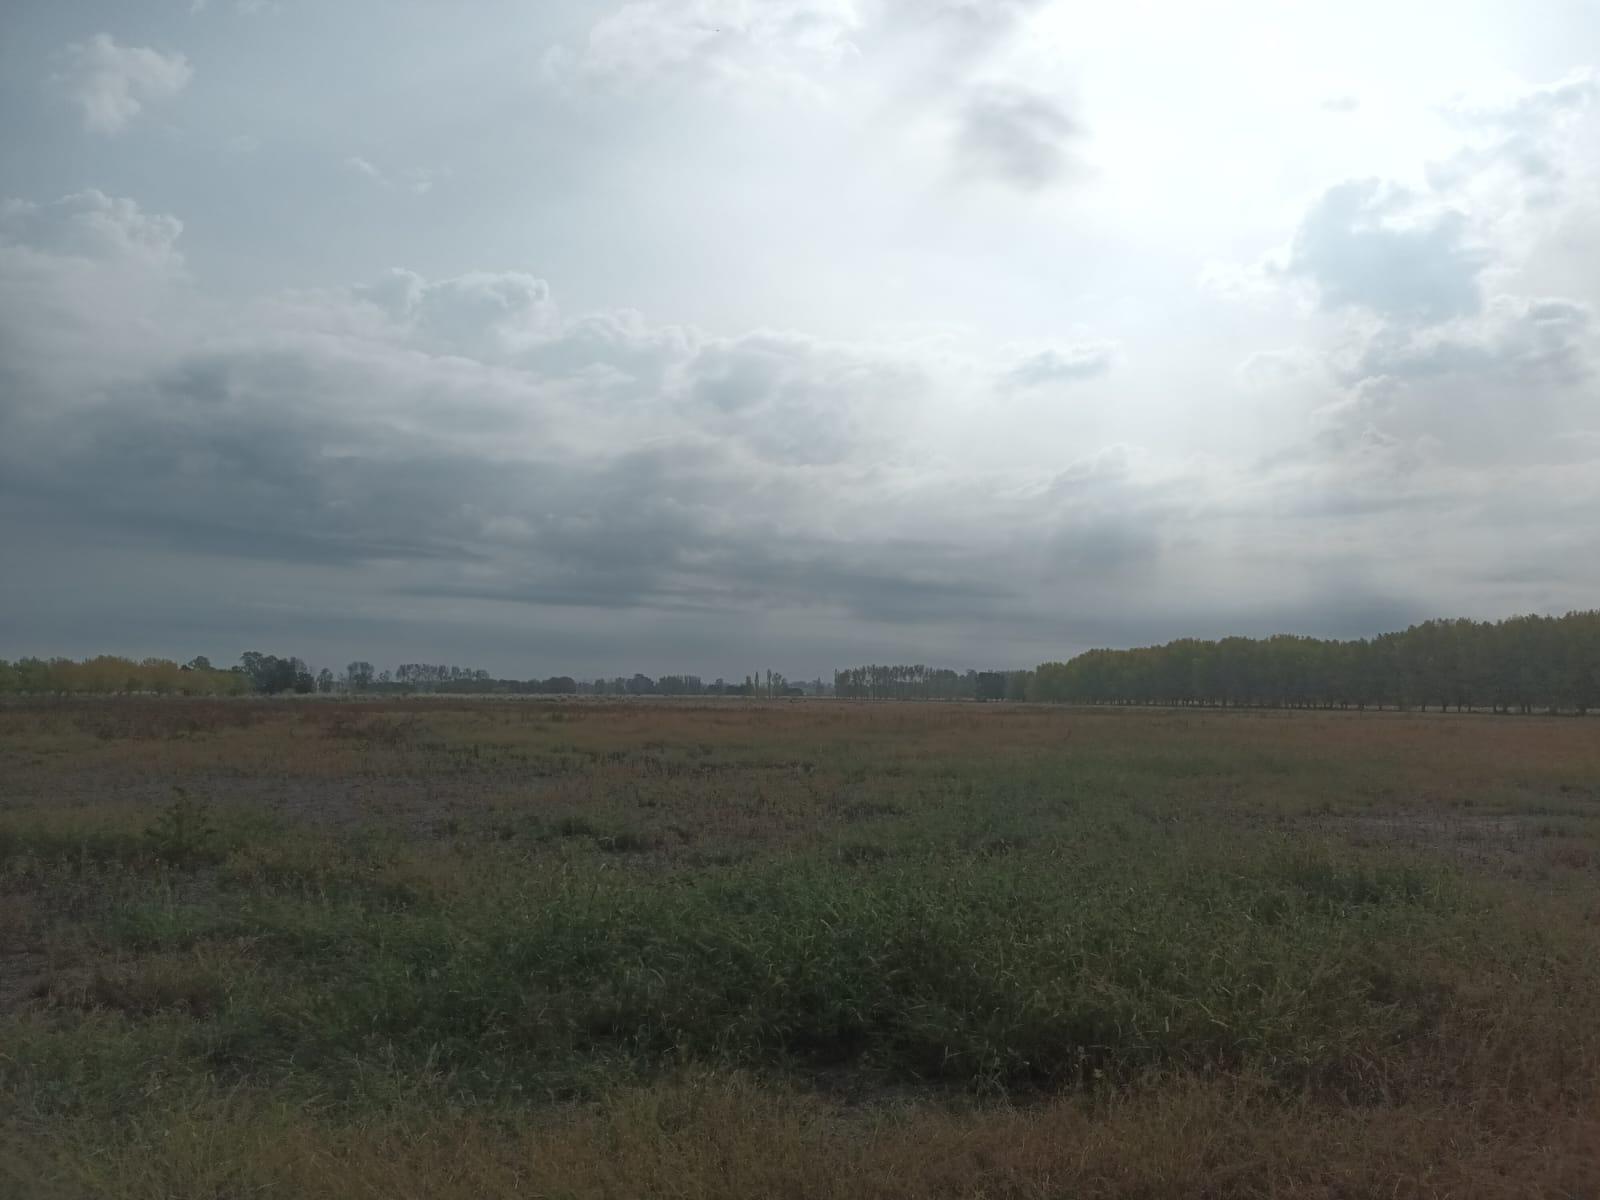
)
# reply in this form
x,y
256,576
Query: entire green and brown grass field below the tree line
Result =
x,y
809,950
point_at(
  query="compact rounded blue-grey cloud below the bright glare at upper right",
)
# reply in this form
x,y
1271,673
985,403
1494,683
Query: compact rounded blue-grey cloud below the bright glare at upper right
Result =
x,y
1374,247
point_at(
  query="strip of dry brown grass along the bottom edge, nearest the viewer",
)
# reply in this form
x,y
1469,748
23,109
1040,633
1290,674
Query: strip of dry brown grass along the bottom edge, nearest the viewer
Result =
x,y
732,1140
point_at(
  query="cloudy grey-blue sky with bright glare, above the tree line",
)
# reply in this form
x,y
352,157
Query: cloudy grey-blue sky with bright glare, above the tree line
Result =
x,y
726,335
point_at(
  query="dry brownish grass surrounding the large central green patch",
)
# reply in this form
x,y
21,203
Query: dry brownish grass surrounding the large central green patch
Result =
x,y
1498,1095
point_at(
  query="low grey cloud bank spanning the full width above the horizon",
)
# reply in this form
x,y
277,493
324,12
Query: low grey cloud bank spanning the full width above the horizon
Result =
x,y
433,455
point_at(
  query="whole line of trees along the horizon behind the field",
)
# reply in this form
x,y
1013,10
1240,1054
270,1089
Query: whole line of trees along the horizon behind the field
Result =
x,y
1519,665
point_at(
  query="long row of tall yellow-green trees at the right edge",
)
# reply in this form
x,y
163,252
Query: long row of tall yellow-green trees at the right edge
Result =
x,y
1519,665
